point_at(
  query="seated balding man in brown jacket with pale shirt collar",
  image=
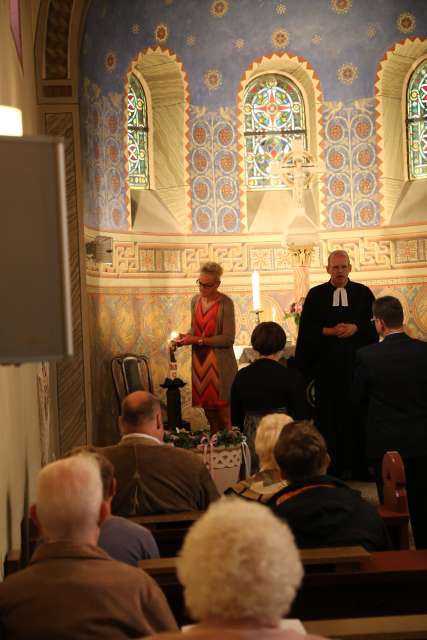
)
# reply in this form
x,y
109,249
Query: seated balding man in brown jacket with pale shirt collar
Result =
x,y
153,477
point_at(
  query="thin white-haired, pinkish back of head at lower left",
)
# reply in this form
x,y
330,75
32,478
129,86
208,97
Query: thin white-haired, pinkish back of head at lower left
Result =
x,y
69,497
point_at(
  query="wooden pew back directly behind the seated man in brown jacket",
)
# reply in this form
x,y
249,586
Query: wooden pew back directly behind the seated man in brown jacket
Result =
x,y
169,529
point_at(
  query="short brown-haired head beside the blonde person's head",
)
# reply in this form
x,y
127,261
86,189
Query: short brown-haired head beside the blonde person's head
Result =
x,y
301,451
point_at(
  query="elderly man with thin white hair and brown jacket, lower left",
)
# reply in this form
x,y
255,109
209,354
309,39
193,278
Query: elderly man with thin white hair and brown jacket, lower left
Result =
x,y
71,588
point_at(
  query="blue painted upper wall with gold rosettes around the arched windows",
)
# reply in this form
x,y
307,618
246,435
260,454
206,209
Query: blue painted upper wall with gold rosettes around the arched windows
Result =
x,y
228,36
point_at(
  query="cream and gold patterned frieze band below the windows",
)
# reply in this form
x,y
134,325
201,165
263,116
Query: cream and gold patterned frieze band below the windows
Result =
x,y
140,257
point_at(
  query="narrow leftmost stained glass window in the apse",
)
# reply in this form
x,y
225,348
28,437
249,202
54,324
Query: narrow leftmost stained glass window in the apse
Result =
x,y
137,136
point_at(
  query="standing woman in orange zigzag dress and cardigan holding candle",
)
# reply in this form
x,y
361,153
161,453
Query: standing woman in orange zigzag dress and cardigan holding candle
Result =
x,y
212,337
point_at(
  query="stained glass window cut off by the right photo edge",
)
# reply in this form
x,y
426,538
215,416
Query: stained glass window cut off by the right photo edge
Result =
x,y
417,122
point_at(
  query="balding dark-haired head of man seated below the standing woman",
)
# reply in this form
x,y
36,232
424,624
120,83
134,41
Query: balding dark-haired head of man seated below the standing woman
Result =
x,y
141,414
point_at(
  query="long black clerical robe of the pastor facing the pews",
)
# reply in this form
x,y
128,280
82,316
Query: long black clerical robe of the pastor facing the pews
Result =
x,y
330,362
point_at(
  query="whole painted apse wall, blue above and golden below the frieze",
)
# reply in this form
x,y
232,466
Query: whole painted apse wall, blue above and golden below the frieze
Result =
x,y
138,299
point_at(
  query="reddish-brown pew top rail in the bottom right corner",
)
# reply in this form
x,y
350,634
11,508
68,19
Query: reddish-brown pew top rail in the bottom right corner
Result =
x,y
378,628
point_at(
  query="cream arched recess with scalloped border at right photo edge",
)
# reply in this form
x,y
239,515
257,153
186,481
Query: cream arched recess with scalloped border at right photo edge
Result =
x,y
400,198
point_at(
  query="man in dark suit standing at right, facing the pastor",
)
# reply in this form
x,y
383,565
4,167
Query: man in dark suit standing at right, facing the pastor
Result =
x,y
391,383
